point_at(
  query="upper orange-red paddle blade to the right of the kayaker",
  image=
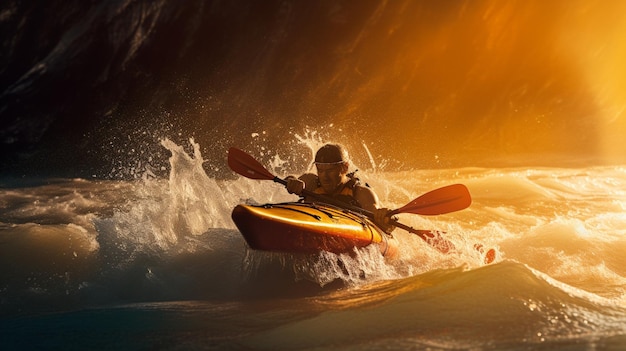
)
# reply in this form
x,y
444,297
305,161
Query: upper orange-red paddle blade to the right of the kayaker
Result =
x,y
439,201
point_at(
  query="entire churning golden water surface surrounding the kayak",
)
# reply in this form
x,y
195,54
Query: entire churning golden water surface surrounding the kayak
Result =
x,y
156,263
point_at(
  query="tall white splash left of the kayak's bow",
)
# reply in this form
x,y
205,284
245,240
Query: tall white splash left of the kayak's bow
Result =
x,y
164,213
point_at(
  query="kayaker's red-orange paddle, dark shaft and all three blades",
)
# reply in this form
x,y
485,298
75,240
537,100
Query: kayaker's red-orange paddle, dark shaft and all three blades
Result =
x,y
439,201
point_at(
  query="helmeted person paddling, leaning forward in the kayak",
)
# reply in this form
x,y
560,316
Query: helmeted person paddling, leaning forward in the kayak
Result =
x,y
332,179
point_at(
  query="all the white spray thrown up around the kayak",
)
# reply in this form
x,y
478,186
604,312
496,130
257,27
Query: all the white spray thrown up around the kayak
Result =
x,y
172,217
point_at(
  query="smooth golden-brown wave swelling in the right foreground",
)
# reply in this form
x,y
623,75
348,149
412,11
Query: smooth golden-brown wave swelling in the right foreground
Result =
x,y
455,308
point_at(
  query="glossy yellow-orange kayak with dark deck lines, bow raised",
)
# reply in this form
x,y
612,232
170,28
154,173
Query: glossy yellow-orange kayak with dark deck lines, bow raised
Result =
x,y
306,228
